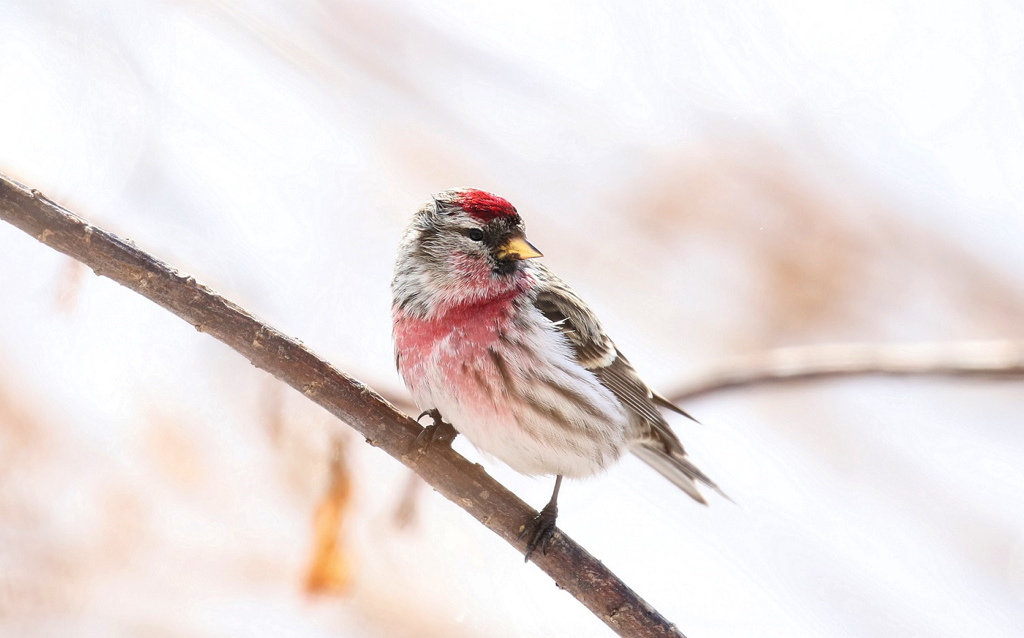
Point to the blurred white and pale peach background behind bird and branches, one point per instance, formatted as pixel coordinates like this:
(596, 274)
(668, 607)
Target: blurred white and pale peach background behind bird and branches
(715, 178)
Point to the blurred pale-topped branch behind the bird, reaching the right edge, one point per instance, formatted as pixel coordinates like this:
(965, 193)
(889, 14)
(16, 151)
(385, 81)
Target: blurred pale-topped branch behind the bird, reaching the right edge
(967, 359)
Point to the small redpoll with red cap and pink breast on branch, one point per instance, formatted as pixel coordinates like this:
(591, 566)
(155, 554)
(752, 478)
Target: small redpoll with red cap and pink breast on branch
(496, 347)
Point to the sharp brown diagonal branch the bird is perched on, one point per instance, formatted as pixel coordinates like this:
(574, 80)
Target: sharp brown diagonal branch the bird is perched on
(464, 484)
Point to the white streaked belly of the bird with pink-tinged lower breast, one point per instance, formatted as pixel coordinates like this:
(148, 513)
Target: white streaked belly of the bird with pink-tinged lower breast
(544, 415)
